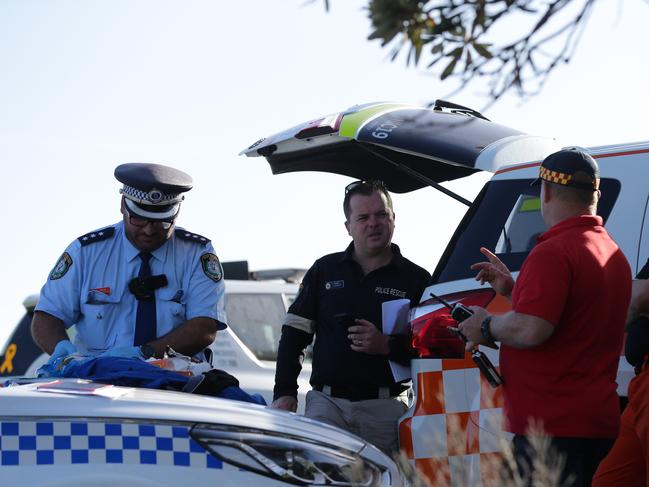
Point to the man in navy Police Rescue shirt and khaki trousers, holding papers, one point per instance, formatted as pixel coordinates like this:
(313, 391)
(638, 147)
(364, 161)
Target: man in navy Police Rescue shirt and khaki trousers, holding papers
(353, 387)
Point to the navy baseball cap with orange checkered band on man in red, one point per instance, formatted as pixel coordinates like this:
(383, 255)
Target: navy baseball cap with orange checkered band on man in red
(570, 167)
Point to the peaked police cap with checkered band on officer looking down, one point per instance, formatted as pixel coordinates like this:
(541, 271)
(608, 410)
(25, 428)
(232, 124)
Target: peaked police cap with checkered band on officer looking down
(153, 191)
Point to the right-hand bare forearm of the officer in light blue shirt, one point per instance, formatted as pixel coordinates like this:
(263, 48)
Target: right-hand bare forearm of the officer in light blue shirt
(190, 338)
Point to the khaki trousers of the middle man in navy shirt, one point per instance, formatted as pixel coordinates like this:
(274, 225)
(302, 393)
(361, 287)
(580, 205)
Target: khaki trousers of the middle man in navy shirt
(374, 420)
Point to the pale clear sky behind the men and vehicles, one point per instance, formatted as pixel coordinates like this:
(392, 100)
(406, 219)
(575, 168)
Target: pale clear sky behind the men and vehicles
(89, 84)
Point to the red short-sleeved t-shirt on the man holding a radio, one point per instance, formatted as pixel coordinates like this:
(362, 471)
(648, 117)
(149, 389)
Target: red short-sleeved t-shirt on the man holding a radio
(578, 279)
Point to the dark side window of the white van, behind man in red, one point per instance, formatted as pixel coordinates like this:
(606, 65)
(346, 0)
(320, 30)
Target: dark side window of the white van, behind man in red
(506, 219)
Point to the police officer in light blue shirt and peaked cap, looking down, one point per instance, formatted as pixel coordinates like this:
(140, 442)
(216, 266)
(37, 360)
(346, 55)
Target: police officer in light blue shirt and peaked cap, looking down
(136, 287)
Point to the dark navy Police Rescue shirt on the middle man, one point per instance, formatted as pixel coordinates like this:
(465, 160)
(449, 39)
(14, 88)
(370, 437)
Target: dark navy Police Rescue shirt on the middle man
(336, 284)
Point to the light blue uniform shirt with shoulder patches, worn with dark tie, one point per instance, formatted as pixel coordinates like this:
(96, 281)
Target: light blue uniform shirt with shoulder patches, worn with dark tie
(88, 286)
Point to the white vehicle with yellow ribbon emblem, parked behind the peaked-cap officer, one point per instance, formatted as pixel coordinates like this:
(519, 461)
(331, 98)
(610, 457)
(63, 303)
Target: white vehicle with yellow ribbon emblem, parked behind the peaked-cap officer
(247, 349)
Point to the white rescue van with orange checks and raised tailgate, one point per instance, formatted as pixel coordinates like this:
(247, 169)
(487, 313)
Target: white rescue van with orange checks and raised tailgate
(410, 147)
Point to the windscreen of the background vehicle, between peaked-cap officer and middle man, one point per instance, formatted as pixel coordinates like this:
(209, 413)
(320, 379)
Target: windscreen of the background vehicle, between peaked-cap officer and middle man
(257, 320)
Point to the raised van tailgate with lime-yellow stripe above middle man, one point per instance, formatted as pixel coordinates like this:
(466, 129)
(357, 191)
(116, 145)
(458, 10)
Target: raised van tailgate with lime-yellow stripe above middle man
(390, 141)
